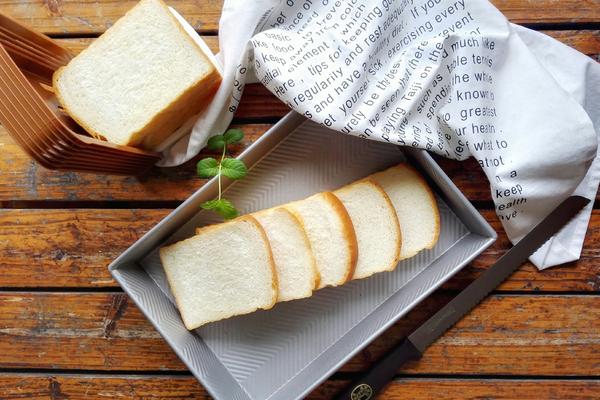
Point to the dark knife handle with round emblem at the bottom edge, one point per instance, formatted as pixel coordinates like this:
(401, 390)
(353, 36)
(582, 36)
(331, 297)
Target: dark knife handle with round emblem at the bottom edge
(368, 385)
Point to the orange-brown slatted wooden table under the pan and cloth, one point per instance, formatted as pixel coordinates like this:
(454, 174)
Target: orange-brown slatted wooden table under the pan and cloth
(67, 331)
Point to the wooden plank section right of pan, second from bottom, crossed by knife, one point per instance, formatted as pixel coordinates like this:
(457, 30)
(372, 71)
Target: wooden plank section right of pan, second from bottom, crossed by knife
(504, 335)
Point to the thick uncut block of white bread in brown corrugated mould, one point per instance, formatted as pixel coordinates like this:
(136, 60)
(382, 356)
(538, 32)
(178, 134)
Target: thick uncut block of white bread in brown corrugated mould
(140, 81)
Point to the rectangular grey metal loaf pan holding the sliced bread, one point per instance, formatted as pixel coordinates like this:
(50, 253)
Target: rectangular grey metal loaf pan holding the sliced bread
(286, 352)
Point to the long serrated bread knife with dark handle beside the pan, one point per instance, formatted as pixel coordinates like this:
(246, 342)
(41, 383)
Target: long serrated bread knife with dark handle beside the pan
(412, 347)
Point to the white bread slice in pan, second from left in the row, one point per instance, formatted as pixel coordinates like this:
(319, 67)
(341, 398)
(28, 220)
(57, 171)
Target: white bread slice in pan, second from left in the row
(295, 264)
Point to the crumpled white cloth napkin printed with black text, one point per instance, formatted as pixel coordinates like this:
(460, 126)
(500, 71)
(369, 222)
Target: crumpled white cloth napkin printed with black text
(452, 77)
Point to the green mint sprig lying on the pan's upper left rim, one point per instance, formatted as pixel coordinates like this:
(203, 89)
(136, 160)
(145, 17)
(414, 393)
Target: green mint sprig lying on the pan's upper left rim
(231, 168)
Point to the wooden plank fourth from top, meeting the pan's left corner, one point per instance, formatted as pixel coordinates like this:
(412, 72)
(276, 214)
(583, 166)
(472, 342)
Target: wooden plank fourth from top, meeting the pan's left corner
(72, 248)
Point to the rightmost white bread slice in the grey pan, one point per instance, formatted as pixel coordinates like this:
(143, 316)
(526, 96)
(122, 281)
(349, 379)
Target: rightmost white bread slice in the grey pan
(415, 206)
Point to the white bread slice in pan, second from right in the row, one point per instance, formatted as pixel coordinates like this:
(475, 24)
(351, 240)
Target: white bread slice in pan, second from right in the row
(376, 226)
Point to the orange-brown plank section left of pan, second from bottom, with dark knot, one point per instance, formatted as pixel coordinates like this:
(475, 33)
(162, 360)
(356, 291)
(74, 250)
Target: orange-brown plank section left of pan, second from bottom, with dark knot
(80, 331)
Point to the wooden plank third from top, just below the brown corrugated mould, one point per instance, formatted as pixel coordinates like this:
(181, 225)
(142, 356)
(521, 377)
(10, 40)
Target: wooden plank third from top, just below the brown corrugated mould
(21, 179)
